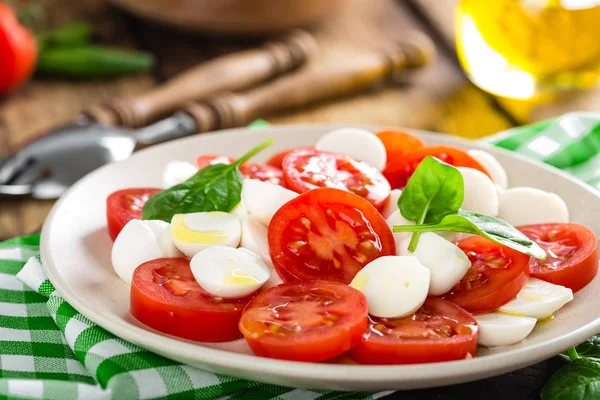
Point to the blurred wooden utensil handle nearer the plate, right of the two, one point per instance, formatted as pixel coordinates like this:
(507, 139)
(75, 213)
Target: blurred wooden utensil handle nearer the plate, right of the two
(308, 86)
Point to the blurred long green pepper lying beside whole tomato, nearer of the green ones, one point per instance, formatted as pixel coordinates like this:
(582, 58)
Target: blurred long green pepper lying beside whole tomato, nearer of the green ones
(92, 62)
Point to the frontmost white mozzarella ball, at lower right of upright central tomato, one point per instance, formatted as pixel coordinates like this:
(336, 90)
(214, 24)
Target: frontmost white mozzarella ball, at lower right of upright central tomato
(394, 286)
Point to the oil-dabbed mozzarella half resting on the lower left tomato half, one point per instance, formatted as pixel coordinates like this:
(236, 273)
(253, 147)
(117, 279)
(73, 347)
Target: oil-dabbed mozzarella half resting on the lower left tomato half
(229, 273)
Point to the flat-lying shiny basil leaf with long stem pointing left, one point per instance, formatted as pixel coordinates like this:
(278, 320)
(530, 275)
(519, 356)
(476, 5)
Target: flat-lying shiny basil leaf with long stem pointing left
(489, 227)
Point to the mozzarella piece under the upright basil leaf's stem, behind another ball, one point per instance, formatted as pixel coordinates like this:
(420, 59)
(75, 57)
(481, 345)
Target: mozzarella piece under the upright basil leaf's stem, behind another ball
(446, 262)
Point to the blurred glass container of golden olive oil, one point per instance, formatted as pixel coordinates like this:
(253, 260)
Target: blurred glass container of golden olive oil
(529, 49)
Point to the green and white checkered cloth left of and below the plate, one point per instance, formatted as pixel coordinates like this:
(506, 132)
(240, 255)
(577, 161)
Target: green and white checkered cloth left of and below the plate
(50, 351)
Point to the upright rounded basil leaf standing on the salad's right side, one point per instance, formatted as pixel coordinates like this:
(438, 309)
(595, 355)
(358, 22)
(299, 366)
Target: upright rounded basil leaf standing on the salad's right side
(435, 189)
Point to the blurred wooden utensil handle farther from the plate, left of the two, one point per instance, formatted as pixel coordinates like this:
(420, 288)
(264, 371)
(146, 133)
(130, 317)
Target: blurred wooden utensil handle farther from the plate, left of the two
(232, 72)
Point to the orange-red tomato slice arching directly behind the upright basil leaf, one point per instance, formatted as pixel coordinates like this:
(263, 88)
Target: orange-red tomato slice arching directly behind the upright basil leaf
(401, 169)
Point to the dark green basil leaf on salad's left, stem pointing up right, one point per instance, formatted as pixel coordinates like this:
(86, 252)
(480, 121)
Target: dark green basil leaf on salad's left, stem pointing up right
(213, 188)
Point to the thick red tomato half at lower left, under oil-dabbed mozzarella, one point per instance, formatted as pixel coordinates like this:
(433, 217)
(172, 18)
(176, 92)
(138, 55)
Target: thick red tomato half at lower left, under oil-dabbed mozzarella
(165, 296)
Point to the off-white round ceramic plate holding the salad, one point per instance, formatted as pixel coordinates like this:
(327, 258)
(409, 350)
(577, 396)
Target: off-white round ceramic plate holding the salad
(76, 252)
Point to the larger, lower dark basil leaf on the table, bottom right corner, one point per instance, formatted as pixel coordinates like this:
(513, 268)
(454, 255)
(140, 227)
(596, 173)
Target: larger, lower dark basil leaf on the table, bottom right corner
(578, 380)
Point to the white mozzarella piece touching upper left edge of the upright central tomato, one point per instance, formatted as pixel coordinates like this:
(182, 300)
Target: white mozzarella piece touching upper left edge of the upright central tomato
(263, 199)
